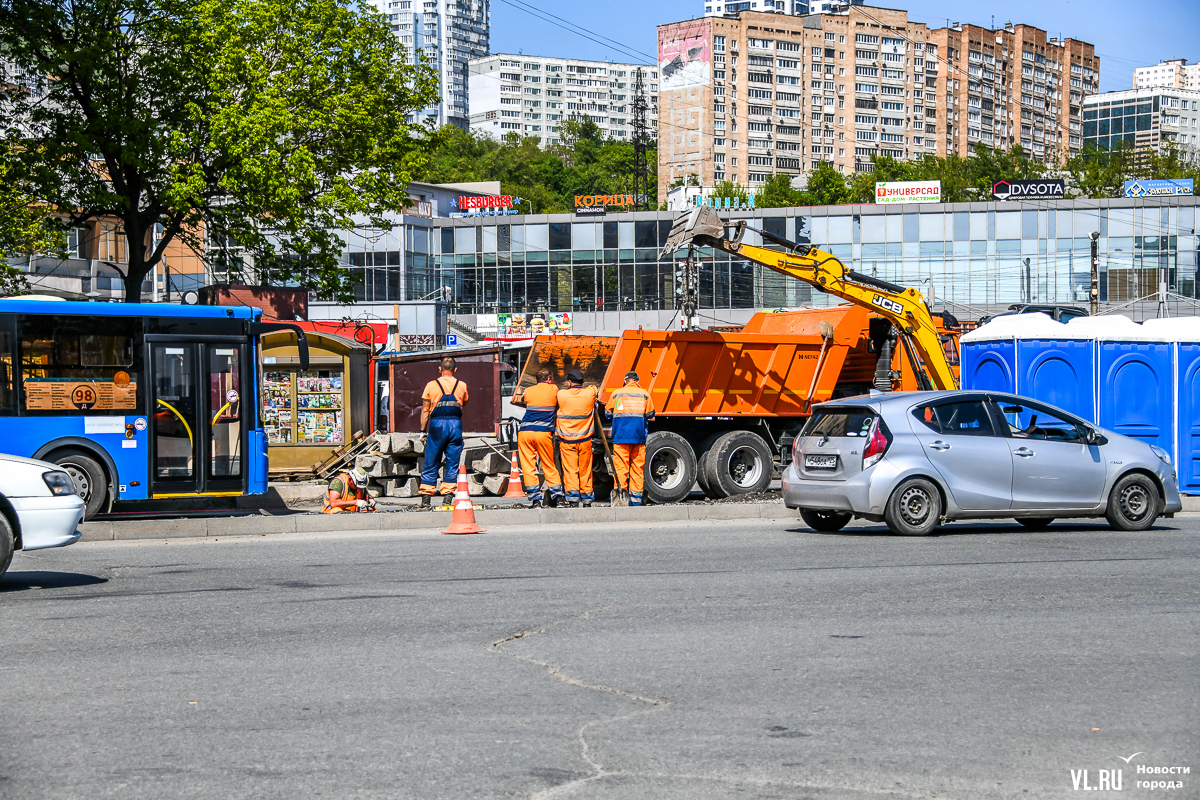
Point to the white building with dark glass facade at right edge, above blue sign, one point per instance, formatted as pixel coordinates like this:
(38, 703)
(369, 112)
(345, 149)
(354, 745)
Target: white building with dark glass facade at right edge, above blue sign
(1143, 118)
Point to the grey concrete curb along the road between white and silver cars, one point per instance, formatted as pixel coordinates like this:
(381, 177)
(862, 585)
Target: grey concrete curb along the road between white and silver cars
(427, 521)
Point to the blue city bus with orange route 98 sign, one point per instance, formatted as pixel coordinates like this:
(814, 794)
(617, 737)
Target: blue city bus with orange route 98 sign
(137, 401)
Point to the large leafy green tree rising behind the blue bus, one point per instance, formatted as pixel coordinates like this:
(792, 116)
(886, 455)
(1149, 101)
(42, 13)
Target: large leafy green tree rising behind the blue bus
(269, 124)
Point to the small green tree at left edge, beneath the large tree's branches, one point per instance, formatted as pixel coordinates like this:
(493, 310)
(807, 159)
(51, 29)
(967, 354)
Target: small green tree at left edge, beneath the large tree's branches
(27, 227)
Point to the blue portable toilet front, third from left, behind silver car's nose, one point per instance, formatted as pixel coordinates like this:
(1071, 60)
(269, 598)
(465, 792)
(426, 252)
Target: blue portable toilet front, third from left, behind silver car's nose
(1137, 399)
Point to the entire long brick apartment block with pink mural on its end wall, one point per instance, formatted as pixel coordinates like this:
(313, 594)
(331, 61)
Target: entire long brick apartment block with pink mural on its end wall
(747, 97)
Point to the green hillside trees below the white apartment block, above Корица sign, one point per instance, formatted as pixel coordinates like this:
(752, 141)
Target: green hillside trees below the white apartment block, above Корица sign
(547, 179)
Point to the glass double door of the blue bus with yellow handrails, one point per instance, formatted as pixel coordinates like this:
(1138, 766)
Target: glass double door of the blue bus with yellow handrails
(199, 440)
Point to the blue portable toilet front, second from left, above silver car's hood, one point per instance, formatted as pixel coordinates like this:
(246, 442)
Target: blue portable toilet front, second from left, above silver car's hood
(1059, 372)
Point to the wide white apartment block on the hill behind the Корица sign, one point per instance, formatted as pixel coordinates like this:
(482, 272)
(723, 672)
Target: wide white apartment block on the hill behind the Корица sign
(533, 95)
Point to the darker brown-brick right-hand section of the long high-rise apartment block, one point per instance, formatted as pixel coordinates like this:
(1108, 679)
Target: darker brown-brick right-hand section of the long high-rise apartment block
(1015, 86)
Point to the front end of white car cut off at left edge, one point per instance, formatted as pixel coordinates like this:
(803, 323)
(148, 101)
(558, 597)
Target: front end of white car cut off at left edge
(39, 508)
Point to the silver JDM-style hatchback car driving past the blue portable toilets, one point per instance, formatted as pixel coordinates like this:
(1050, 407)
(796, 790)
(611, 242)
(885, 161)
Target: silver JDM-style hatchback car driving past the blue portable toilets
(916, 460)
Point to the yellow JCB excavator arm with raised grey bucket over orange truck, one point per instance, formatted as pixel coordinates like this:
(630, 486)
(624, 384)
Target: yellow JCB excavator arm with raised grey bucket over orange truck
(701, 227)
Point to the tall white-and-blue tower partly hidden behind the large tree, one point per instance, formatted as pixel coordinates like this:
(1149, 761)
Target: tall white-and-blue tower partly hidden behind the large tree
(451, 34)
